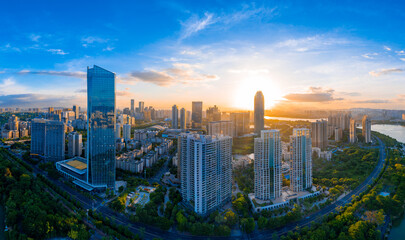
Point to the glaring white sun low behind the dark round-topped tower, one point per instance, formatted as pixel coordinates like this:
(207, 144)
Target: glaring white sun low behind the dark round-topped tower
(247, 88)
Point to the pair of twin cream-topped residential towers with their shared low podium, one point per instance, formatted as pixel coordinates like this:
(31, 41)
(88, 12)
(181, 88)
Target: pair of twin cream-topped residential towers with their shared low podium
(268, 166)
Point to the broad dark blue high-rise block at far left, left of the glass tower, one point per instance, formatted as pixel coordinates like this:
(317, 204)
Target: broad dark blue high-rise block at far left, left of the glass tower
(48, 139)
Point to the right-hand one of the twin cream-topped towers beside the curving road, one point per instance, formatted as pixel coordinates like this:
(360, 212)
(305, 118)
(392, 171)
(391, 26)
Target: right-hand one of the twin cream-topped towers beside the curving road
(301, 160)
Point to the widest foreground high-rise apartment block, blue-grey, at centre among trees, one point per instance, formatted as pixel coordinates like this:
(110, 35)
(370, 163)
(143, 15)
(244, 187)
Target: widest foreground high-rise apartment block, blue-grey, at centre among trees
(205, 171)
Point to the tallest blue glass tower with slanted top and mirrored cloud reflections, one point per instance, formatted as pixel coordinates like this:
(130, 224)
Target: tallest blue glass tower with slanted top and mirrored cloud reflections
(101, 127)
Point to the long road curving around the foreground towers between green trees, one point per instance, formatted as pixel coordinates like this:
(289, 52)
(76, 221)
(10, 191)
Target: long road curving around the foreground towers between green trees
(150, 232)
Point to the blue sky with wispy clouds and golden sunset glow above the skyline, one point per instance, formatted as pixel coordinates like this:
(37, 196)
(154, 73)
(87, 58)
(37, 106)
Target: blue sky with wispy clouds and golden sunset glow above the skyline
(300, 54)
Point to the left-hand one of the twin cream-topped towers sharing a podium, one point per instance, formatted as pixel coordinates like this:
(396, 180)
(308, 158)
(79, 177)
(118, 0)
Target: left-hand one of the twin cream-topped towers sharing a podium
(267, 169)
